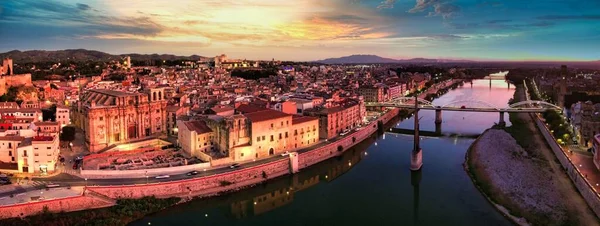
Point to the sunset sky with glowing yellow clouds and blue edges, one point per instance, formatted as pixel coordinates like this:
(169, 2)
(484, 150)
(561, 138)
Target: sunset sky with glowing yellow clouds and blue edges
(303, 30)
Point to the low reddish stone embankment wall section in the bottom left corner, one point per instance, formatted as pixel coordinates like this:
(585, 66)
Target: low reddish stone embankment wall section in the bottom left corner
(67, 204)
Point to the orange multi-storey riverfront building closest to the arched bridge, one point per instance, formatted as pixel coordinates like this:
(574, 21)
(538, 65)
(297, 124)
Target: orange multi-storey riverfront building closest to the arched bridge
(335, 120)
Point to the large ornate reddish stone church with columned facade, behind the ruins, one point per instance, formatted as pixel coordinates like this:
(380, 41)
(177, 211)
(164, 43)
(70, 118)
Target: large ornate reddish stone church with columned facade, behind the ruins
(111, 117)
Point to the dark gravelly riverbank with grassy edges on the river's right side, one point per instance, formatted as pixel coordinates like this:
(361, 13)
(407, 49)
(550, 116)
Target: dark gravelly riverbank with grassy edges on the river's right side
(515, 169)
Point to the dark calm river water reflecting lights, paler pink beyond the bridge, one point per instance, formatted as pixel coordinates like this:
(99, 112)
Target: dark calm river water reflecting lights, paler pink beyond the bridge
(371, 184)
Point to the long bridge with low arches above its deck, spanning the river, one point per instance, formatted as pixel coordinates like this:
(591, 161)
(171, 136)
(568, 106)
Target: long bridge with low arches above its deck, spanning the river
(466, 105)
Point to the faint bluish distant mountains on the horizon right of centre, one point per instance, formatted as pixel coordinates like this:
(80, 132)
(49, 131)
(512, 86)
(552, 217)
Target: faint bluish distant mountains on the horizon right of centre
(374, 59)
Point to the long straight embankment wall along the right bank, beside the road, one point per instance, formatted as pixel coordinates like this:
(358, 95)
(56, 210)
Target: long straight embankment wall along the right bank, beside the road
(586, 189)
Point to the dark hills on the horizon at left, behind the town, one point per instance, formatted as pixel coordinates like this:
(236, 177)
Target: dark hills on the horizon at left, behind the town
(85, 55)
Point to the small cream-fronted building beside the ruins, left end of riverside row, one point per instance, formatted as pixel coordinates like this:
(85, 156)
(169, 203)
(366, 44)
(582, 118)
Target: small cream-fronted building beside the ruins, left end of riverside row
(195, 137)
